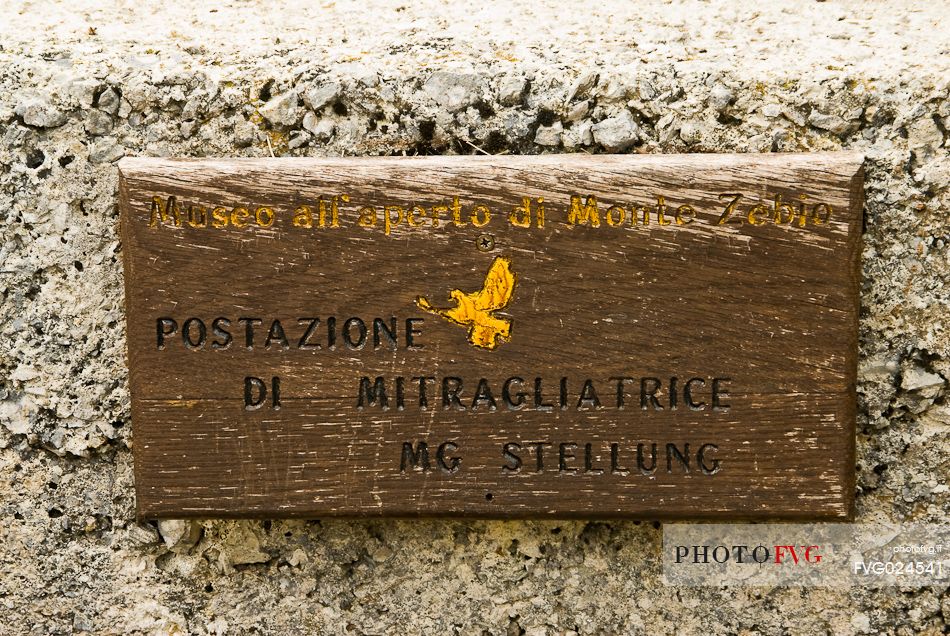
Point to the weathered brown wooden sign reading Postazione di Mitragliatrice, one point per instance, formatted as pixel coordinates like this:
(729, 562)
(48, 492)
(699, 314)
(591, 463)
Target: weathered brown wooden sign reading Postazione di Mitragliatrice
(553, 336)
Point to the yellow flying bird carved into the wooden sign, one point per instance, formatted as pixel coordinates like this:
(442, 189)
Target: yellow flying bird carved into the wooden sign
(475, 310)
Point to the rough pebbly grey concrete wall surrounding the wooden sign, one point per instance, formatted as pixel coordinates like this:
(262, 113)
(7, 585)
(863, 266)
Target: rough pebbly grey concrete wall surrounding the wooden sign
(82, 86)
